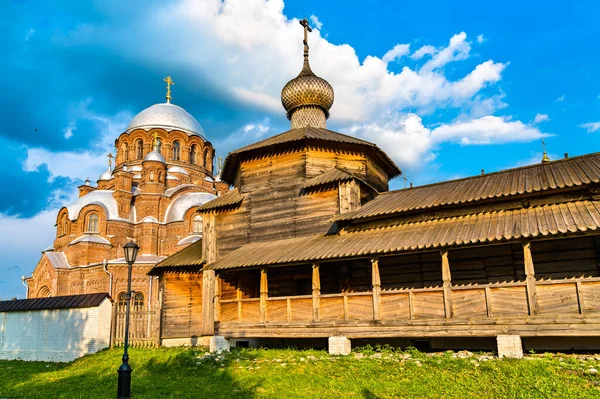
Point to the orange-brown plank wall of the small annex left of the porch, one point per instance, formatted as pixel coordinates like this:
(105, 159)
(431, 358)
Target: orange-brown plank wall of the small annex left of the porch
(182, 305)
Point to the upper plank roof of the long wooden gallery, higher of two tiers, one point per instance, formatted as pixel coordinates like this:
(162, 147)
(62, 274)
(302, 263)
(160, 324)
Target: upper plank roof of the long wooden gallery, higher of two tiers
(565, 173)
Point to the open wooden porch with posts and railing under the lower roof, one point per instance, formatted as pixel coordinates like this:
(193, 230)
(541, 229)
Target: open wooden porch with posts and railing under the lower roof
(563, 301)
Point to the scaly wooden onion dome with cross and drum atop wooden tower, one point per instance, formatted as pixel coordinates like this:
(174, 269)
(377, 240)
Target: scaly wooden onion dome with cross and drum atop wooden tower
(307, 98)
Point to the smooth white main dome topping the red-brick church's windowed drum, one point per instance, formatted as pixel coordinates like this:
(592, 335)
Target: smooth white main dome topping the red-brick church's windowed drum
(166, 116)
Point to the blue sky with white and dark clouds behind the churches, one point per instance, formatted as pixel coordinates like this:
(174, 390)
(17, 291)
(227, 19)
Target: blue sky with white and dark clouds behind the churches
(445, 88)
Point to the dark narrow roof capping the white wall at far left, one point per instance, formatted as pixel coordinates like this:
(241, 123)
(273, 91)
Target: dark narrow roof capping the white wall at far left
(55, 302)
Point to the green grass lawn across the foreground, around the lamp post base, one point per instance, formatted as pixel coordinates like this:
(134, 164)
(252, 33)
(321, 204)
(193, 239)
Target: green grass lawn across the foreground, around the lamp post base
(261, 373)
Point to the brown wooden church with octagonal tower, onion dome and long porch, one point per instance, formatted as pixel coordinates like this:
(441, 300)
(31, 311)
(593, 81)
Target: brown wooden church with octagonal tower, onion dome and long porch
(310, 244)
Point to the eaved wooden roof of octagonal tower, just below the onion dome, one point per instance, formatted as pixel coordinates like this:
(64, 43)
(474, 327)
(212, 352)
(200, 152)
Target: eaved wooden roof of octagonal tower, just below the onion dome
(310, 133)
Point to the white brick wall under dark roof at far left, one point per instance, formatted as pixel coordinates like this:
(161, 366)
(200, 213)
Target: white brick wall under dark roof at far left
(59, 335)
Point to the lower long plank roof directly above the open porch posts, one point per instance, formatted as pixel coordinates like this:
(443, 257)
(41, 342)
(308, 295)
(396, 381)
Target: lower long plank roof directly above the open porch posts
(545, 220)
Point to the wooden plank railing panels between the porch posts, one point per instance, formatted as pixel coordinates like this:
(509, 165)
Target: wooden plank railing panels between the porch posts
(555, 297)
